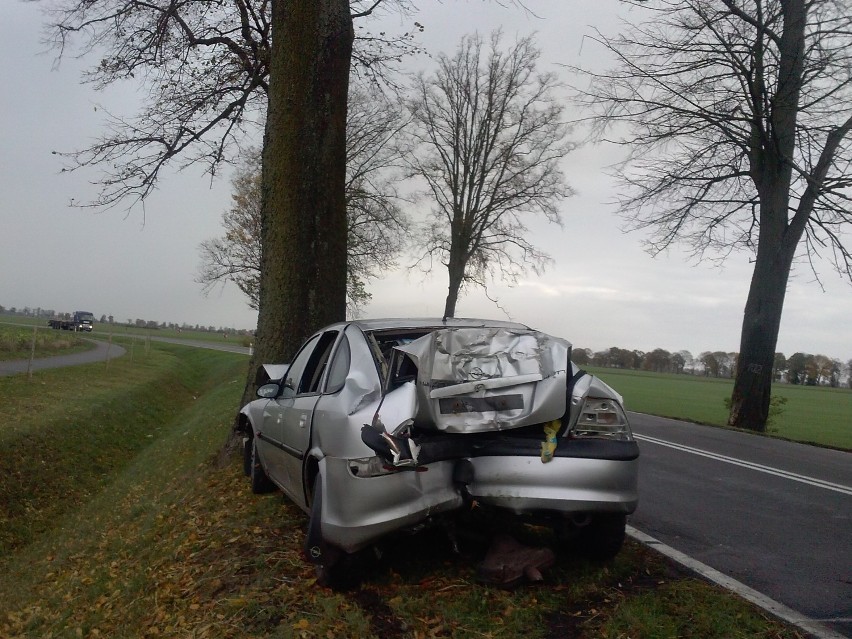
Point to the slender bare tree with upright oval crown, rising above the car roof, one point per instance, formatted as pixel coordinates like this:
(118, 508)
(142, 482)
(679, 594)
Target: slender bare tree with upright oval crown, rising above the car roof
(487, 138)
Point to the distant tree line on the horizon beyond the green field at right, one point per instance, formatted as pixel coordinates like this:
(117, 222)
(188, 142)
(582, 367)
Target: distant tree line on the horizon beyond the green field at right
(799, 368)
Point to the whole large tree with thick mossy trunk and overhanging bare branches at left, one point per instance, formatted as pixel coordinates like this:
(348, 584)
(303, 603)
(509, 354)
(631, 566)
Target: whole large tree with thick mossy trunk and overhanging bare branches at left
(212, 70)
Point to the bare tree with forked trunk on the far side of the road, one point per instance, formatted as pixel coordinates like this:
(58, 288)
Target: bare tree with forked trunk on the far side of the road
(738, 116)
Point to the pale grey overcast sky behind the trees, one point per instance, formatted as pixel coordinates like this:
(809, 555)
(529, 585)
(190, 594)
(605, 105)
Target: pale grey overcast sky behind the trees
(602, 290)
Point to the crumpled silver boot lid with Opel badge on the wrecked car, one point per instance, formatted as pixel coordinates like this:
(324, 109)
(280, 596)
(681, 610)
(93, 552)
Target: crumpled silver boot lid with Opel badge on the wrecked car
(483, 379)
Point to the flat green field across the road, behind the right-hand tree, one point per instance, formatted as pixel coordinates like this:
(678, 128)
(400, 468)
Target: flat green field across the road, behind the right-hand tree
(812, 414)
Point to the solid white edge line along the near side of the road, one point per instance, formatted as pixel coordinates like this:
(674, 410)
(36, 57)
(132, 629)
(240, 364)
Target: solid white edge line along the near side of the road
(770, 605)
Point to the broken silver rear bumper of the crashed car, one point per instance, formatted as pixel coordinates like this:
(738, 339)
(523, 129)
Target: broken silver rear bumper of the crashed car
(360, 510)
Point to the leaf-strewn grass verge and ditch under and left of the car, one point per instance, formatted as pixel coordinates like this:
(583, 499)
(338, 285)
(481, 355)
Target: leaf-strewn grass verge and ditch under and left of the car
(166, 540)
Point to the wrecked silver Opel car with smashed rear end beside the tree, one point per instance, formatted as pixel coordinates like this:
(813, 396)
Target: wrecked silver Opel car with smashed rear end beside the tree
(381, 426)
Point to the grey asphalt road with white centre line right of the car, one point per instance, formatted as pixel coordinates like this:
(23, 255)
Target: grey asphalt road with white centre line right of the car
(774, 515)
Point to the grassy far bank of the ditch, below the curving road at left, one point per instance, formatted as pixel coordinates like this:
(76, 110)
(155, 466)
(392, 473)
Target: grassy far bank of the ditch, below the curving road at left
(67, 430)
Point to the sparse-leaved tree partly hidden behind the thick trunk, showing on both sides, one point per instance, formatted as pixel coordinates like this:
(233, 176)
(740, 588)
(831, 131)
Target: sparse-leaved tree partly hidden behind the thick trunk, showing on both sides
(376, 224)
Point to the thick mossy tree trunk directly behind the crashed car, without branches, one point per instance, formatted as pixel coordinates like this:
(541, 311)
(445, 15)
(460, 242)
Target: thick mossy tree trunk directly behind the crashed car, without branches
(303, 211)
